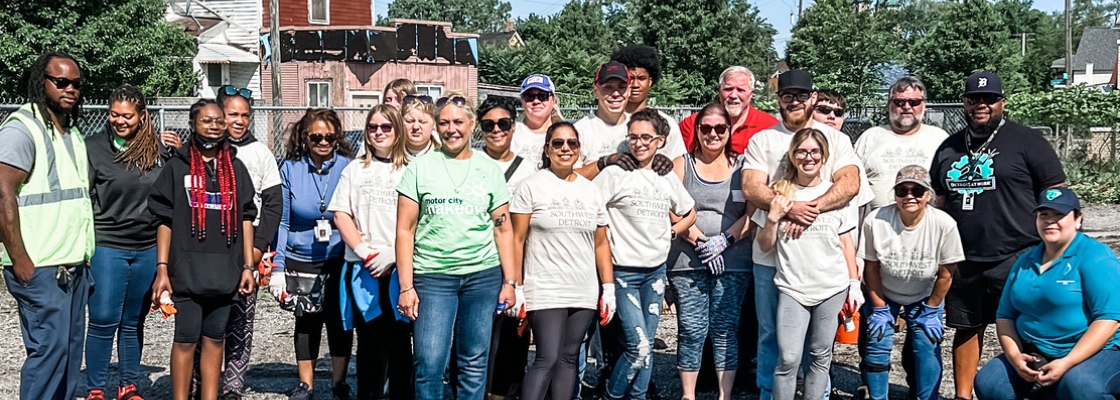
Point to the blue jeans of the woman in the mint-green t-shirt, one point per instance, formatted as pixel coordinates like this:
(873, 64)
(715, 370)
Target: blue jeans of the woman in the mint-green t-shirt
(461, 308)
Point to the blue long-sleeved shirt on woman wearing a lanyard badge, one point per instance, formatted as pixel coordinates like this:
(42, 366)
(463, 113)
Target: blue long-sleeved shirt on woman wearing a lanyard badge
(306, 197)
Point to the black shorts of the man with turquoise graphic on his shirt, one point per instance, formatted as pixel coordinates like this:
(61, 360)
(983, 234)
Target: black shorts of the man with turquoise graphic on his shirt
(974, 297)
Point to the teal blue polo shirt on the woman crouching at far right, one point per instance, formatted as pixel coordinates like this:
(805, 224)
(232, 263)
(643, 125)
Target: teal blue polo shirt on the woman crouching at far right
(1054, 309)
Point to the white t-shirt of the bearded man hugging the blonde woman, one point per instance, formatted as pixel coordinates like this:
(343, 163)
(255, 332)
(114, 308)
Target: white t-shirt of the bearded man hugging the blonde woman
(768, 153)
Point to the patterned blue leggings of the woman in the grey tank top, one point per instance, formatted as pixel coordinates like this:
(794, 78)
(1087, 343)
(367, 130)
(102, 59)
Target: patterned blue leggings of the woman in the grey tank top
(708, 305)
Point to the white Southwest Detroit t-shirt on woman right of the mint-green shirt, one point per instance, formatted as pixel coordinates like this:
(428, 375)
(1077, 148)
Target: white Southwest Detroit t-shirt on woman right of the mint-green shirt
(559, 263)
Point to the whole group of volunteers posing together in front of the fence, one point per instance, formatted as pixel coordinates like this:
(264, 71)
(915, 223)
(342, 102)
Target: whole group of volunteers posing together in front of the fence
(449, 259)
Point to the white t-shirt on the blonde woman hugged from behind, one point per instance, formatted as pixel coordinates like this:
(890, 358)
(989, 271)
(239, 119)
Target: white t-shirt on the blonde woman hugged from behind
(813, 269)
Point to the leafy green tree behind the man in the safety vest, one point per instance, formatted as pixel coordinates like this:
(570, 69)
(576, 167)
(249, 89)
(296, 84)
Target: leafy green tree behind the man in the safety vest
(115, 41)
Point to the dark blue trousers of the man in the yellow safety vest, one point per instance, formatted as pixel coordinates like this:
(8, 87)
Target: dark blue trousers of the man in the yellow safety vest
(52, 321)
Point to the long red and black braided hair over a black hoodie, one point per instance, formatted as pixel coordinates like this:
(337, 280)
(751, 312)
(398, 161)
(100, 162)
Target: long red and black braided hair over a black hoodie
(227, 181)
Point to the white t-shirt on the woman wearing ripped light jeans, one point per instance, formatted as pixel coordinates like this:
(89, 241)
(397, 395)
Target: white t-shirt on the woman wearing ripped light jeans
(639, 203)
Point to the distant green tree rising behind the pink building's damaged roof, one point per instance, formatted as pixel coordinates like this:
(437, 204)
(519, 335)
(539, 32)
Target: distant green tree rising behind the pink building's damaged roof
(466, 16)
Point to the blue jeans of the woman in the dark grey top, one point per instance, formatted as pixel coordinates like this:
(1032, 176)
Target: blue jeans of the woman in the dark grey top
(120, 301)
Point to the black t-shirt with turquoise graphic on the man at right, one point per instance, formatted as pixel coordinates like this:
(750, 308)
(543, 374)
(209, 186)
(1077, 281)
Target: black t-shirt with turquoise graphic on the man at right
(1004, 181)
